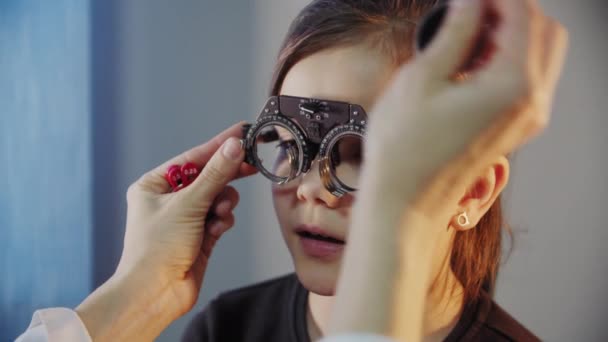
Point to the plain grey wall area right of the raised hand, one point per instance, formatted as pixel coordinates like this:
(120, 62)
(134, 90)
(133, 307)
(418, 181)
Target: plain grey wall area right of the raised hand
(556, 279)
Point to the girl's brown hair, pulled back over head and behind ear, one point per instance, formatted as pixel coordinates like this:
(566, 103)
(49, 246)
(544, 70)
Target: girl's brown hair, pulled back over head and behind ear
(390, 25)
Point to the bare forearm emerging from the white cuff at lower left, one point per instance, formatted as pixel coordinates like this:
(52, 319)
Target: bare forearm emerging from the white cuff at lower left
(126, 309)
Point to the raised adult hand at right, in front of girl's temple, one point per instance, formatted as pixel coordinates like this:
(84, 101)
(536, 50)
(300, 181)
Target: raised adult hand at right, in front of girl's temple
(447, 130)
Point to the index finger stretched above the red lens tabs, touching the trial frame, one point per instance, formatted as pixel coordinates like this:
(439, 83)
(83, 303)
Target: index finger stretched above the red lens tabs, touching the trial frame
(154, 181)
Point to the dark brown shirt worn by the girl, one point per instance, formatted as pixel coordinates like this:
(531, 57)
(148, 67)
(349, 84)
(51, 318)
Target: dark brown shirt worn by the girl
(275, 310)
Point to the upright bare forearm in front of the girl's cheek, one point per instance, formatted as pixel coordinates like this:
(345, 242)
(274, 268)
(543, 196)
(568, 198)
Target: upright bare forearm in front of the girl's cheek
(396, 264)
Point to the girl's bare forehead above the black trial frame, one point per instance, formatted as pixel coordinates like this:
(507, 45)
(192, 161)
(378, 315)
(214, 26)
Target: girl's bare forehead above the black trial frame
(355, 74)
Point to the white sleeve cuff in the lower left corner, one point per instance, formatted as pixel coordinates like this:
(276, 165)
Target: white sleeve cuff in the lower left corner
(53, 325)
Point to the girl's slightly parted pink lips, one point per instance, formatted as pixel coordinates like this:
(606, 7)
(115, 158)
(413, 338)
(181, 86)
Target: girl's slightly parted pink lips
(318, 243)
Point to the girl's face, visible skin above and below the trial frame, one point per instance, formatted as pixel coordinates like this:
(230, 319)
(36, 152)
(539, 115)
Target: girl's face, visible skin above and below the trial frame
(314, 223)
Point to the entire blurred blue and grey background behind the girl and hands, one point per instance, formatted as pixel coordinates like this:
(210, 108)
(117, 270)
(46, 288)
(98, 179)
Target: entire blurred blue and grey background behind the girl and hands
(95, 93)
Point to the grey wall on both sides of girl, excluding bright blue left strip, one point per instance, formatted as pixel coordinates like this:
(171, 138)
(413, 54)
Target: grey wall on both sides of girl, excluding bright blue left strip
(169, 75)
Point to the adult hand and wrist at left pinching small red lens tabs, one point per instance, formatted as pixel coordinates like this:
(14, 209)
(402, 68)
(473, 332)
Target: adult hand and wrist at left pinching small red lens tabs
(168, 242)
